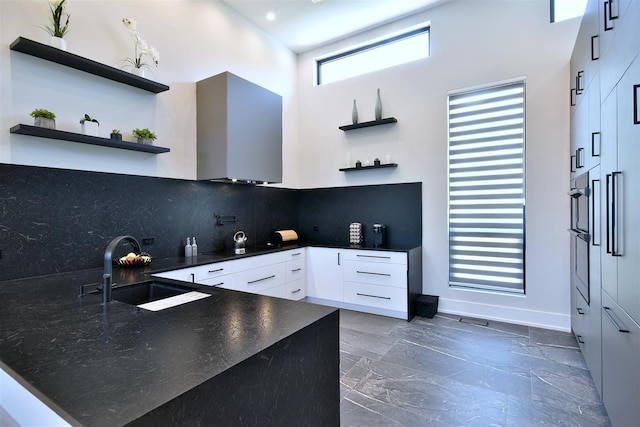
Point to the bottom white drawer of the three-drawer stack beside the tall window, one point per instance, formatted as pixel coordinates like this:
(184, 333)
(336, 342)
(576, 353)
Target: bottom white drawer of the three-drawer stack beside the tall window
(375, 296)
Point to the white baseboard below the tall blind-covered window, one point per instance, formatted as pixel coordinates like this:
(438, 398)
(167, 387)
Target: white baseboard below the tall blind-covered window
(518, 316)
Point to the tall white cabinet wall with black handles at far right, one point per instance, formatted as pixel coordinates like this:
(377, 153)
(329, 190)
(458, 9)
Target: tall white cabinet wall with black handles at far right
(614, 311)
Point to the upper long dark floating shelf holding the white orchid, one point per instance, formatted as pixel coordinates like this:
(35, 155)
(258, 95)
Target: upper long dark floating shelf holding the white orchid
(68, 59)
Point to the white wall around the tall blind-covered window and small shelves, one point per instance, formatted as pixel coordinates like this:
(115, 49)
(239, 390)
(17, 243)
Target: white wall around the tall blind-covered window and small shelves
(473, 43)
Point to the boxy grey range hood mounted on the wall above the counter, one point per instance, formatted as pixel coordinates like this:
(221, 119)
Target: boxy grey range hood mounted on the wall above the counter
(239, 128)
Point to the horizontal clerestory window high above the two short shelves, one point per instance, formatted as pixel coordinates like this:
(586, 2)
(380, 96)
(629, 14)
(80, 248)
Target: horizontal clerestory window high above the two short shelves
(375, 55)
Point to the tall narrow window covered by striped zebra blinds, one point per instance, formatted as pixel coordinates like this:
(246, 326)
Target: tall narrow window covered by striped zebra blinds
(486, 188)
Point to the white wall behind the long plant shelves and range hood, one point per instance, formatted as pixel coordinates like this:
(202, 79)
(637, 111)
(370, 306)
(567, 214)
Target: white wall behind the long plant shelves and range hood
(196, 39)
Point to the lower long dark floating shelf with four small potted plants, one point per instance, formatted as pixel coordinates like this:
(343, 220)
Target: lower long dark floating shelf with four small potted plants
(85, 139)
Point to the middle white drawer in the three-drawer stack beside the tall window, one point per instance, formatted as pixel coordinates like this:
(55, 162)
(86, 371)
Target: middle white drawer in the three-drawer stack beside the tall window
(380, 274)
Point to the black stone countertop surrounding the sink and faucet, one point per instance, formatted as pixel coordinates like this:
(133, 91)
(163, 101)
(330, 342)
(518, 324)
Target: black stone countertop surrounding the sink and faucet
(108, 365)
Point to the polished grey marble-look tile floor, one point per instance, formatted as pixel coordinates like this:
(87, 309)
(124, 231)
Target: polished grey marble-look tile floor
(448, 372)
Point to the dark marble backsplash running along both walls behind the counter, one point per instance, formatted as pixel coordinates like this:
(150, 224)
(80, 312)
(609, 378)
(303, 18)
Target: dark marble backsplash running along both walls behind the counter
(55, 220)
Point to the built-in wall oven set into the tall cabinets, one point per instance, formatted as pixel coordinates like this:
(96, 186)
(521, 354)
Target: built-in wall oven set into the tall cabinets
(580, 237)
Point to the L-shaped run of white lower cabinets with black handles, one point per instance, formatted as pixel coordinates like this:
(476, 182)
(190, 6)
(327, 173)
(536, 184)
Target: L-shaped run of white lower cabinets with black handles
(372, 281)
